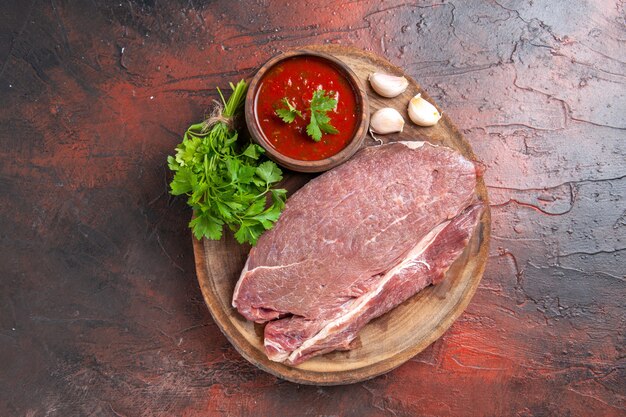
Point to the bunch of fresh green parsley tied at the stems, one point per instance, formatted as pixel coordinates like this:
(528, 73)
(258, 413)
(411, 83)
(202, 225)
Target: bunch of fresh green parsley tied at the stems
(226, 184)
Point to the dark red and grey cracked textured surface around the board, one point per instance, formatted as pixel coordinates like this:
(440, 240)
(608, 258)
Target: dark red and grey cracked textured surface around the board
(101, 312)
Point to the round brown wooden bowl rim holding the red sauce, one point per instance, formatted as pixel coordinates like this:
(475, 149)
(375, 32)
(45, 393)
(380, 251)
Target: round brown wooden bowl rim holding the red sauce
(363, 115)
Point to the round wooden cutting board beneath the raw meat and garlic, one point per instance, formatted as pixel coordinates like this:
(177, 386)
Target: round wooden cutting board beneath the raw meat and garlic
(393, 338)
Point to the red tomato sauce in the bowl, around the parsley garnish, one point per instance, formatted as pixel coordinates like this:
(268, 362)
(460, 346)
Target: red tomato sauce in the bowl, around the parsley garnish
(297, 78)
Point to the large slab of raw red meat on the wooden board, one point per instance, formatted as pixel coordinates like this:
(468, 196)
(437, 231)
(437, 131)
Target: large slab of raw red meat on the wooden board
(356, 242)
